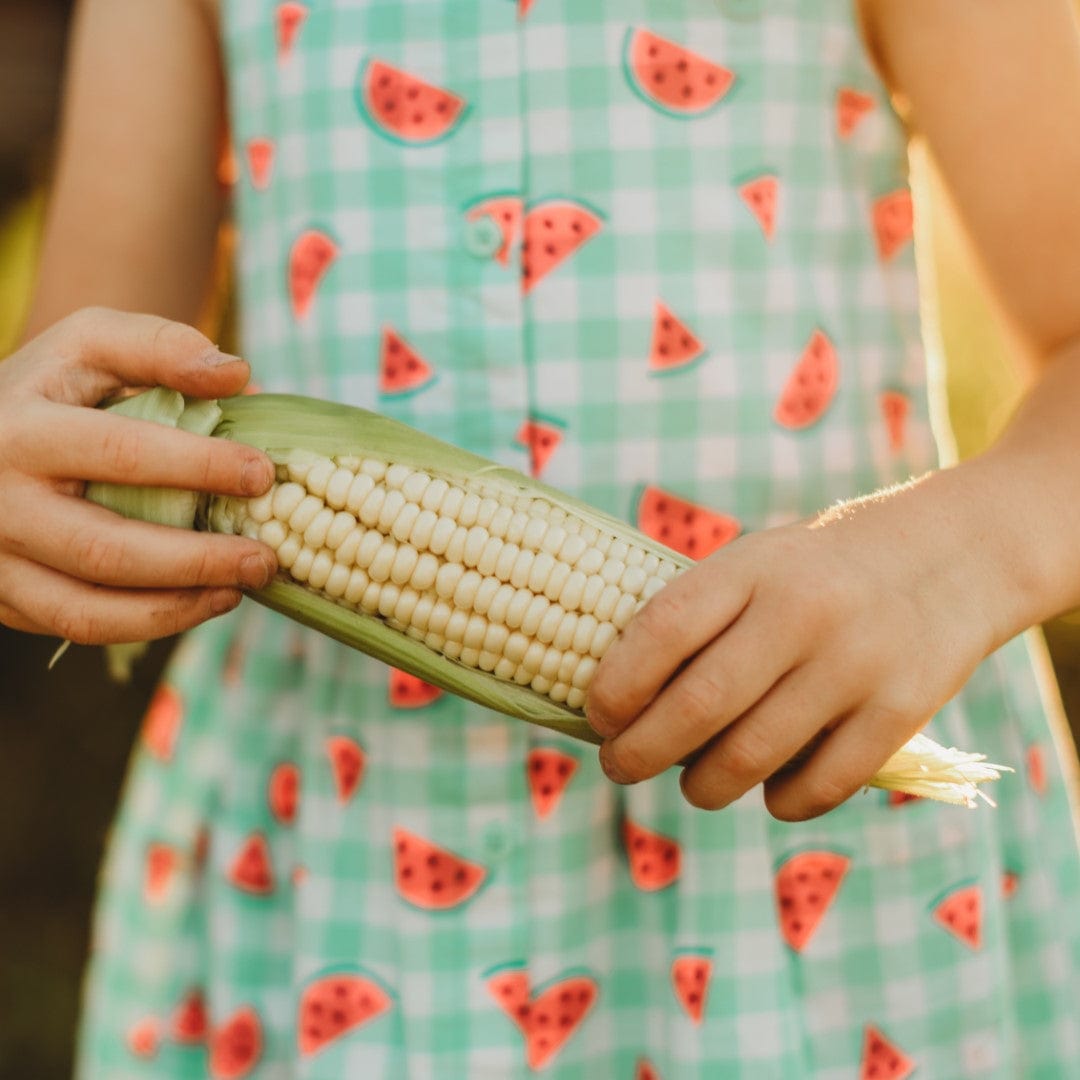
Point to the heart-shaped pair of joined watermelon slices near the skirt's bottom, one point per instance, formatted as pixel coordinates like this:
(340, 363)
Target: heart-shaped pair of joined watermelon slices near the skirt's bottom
(548, 1020)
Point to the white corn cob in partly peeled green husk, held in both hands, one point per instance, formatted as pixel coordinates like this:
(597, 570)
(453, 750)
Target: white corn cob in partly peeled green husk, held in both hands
(471, 576)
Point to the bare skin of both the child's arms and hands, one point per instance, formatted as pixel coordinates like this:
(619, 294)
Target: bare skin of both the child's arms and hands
(847, 633)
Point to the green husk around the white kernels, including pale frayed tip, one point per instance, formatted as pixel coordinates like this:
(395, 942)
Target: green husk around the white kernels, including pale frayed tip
(287, 426)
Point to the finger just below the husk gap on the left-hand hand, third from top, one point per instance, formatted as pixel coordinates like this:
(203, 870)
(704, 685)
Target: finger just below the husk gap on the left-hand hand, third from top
(93, 545)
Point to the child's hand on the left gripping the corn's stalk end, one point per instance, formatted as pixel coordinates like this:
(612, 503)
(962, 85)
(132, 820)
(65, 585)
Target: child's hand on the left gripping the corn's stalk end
(74, 570)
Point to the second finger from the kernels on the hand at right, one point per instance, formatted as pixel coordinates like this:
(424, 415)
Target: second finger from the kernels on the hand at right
(722, 683)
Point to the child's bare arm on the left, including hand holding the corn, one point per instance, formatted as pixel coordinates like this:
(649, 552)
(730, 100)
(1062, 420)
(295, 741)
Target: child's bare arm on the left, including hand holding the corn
(131, 226)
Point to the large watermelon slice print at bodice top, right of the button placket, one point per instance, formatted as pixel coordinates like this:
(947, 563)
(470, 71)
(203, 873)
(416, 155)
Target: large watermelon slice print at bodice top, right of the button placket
(671, 78)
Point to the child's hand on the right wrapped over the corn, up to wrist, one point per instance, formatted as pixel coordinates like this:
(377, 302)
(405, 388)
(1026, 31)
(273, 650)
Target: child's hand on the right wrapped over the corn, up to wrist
(845, 634)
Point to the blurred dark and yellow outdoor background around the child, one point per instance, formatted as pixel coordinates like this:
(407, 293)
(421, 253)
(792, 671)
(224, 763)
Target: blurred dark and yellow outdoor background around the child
(66, 736)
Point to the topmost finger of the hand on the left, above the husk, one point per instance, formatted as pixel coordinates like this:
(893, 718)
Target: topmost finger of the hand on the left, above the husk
(106, 350)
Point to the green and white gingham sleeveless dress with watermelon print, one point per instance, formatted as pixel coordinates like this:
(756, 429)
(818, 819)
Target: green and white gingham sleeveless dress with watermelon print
(558, 262)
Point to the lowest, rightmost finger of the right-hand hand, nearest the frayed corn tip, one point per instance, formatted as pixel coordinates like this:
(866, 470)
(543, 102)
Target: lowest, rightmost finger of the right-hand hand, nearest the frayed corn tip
(839, 767)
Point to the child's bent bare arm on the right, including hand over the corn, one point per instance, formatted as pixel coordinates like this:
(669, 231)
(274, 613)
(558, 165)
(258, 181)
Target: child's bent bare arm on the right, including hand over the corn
(852, 631)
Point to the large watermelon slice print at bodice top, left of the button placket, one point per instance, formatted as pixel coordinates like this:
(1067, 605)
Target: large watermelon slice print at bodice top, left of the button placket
(404, 109)
